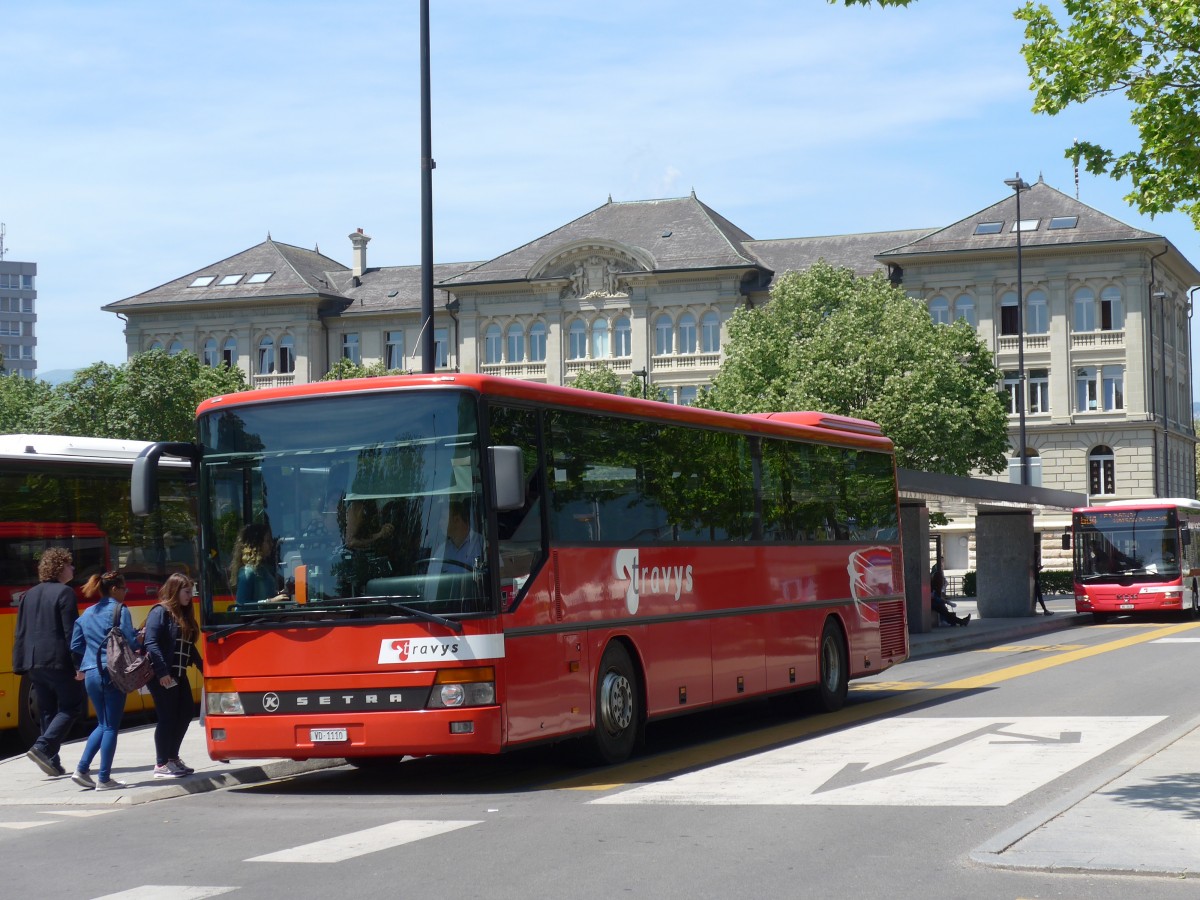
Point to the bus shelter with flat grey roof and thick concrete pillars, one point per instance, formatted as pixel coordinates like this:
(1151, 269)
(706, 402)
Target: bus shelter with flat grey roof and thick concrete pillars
(1006, 551)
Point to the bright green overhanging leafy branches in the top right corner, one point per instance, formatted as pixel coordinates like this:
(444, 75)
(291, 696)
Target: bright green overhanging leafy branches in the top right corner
(1145, 50)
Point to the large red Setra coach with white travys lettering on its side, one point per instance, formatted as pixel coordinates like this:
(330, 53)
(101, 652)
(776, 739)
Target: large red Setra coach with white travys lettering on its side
(466, 565)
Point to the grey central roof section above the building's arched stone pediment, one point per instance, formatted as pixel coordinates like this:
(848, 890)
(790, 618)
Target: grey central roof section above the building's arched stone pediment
(669, 236)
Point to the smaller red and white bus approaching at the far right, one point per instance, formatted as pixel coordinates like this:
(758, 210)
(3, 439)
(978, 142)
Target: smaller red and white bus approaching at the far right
(1137, 556)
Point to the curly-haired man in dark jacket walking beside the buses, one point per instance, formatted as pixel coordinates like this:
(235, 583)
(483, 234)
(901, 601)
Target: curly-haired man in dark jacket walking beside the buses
(41, 651)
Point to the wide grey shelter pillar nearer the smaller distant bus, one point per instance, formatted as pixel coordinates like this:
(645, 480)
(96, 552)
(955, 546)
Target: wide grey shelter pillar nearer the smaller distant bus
(1005, 565)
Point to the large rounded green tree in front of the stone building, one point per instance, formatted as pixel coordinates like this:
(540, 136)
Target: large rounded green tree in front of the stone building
(839, 344)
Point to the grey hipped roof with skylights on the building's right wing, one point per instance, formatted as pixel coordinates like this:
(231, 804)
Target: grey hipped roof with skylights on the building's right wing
(1041, 203)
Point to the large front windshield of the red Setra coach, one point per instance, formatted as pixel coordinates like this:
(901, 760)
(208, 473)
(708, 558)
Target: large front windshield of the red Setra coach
(350, 506)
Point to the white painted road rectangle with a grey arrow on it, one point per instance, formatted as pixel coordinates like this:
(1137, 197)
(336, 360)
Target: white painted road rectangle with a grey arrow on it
(902, 763)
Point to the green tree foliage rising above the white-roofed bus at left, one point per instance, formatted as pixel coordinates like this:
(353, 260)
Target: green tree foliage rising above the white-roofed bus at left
(151, 398)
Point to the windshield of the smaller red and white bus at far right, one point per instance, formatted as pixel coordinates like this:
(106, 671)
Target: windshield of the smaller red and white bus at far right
(1121, 543)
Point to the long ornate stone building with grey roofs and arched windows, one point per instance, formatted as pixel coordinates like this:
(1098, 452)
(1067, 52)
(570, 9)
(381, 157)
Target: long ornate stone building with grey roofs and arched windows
(651, 286)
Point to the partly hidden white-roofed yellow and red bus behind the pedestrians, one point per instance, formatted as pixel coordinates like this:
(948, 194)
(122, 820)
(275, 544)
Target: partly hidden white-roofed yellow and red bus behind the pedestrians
(75, 493)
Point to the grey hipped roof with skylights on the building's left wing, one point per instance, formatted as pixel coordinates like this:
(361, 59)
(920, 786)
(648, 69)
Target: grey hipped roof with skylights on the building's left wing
(295, 273)
